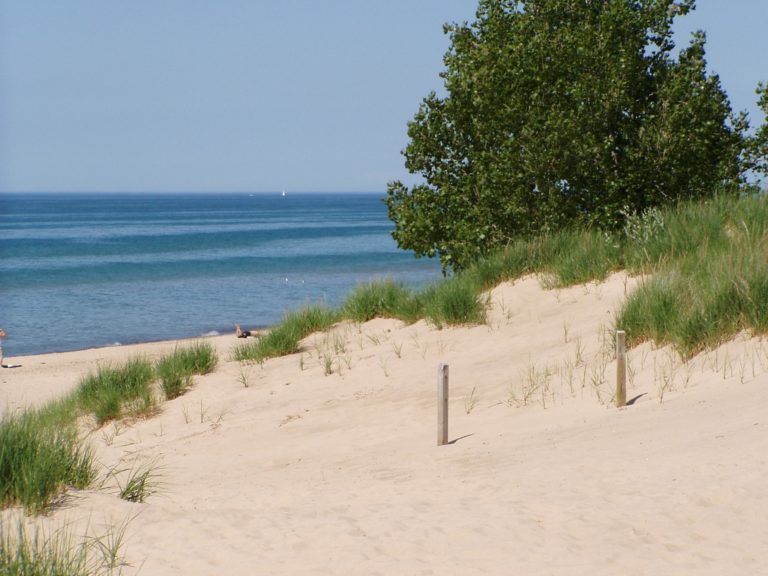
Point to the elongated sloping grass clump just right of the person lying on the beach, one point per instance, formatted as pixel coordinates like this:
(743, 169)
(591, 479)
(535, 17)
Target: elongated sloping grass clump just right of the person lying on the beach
(284, 338)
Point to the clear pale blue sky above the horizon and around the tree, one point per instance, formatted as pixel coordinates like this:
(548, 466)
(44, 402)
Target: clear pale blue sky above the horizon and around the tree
(251, 95)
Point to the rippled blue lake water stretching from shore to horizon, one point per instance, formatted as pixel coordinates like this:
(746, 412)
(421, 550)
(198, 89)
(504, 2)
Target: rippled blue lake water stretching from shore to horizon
(85, 270)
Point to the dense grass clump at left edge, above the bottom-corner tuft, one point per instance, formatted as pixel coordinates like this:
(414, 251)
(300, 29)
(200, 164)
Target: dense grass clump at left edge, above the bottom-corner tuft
(38, 460)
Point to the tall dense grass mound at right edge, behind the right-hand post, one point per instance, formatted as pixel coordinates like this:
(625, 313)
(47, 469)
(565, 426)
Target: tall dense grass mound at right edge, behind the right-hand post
(709, 276)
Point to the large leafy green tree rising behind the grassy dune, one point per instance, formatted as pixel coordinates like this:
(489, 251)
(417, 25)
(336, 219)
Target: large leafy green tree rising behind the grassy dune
(560, 113)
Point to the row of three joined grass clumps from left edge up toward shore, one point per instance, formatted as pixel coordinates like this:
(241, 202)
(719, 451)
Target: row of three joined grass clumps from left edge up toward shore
(41, 453)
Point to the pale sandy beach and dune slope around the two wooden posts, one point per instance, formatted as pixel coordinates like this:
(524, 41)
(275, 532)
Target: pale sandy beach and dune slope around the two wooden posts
(282, 468)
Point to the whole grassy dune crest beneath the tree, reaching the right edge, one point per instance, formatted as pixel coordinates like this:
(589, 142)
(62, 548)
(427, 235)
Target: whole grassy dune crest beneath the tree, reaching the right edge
(704, 268)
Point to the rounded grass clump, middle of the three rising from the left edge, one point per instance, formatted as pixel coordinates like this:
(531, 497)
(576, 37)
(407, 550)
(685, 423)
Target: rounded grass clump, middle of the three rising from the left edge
(112, 392)
